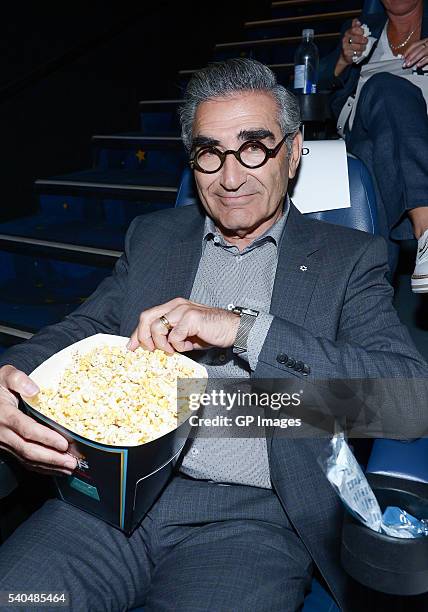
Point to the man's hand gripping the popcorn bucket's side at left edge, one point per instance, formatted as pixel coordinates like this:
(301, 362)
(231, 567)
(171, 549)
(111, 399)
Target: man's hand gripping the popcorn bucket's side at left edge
(39, 448)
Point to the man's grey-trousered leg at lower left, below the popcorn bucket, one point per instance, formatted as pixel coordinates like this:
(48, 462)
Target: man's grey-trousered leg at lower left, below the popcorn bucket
(60, 548)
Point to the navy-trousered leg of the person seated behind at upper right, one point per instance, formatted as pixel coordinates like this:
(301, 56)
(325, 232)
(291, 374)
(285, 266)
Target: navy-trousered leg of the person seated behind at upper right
(390, 134)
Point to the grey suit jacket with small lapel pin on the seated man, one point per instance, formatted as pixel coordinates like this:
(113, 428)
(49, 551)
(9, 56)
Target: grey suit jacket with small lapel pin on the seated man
(336, 316)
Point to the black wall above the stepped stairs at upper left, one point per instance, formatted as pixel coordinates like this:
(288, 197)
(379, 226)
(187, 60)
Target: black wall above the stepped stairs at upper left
(70, 70)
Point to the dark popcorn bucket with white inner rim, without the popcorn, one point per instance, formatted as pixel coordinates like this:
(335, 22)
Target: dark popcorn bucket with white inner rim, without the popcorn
(118, 484)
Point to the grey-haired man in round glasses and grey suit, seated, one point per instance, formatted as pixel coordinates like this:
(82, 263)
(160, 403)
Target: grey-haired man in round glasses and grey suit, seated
(257, 292)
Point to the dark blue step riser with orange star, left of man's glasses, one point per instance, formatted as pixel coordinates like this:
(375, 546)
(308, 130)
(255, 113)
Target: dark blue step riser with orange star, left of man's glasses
(135, 151)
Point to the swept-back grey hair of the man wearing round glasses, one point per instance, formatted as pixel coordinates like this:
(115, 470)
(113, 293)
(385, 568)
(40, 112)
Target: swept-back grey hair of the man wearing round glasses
(223, 79)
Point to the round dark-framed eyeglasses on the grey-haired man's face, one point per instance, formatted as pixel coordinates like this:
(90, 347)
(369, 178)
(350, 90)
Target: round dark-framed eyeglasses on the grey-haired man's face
(251, 154)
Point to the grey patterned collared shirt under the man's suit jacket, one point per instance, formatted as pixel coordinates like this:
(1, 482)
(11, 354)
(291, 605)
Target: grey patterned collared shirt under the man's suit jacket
(227, 277)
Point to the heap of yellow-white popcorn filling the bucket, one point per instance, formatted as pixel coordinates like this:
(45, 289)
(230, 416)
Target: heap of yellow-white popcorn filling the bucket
(114, 396)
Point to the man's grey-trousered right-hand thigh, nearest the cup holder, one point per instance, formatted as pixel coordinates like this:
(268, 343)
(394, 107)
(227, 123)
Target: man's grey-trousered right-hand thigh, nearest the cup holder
(225, 548)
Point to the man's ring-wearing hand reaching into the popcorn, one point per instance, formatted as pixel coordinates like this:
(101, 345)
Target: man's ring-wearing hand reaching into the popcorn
(193, 326)
